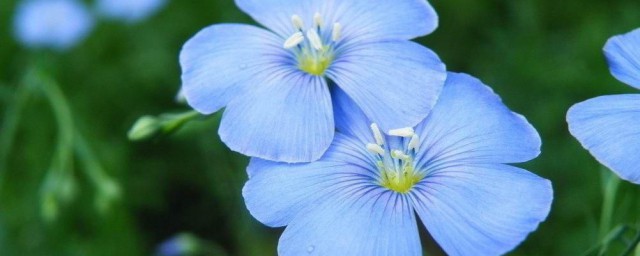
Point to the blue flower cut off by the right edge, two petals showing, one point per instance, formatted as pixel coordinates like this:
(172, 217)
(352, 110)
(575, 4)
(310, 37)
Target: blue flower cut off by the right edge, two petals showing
(608, 126)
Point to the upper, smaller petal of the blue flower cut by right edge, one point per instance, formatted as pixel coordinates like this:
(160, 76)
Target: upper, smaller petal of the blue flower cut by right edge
(623, 55)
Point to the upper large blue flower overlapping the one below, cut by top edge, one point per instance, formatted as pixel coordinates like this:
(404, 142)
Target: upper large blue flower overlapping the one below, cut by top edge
(276, 83)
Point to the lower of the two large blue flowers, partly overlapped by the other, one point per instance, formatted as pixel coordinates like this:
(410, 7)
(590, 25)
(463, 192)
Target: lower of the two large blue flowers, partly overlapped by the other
(451, 169)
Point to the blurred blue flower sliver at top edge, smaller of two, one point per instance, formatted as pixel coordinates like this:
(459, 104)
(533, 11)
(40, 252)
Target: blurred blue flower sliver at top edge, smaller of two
(129, 10)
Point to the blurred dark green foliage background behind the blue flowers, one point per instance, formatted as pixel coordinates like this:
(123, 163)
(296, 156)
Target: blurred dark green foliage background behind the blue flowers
(541, 56)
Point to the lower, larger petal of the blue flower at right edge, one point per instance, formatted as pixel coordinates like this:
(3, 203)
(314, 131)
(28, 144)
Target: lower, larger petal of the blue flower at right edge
(608, 127)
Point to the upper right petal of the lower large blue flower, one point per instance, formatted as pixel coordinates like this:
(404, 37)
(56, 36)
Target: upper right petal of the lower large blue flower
(471, 124)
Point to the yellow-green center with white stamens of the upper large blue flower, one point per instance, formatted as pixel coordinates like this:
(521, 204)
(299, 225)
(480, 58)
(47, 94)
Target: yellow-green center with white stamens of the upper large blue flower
(314, 46)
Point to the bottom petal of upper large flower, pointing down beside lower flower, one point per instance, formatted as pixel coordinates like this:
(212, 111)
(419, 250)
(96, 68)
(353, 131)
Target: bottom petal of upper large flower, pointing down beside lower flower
(287, 118)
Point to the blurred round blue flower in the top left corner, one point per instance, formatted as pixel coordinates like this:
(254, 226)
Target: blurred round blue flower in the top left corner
(56, 24)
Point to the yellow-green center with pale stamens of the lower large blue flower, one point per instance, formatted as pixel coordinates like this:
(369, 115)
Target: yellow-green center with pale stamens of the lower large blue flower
(396, 166)
